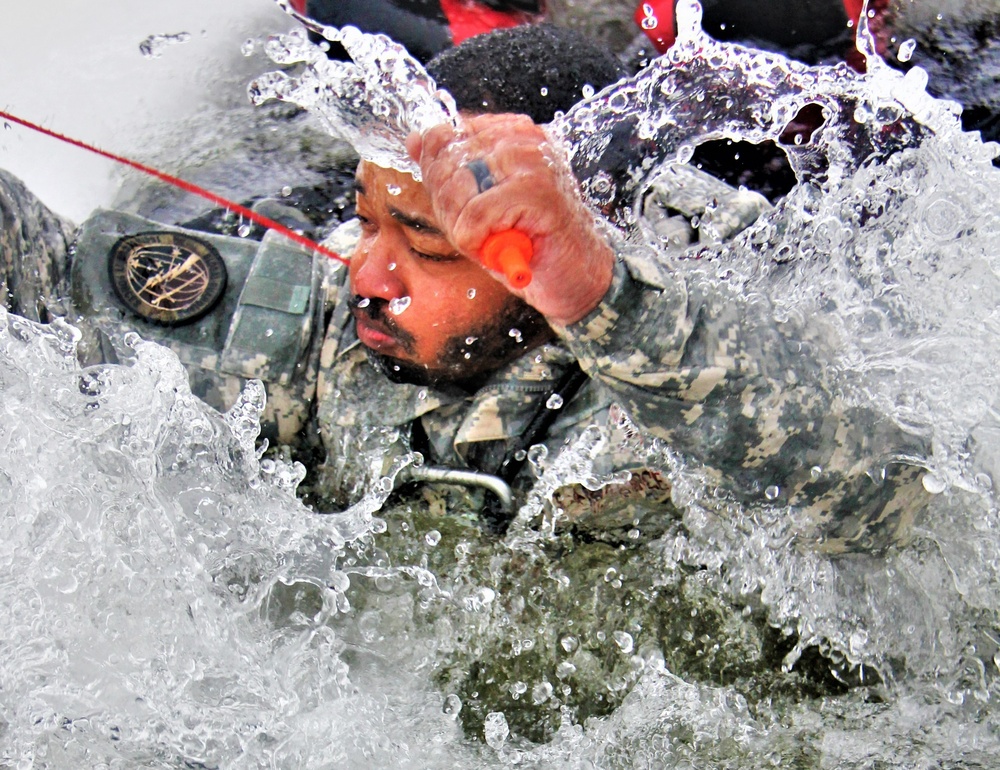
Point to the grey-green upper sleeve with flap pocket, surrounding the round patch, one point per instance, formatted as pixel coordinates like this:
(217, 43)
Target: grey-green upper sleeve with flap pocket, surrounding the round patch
(225, 349)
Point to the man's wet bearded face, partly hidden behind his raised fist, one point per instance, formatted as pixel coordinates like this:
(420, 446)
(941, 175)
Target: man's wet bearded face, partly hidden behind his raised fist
(426, 313)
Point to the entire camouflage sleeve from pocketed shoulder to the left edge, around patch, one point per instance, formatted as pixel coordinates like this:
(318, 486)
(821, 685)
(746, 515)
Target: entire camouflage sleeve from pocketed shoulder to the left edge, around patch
(264, 327)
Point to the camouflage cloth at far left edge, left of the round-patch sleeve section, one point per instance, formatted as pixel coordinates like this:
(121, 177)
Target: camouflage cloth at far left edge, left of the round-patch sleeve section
(34, 254)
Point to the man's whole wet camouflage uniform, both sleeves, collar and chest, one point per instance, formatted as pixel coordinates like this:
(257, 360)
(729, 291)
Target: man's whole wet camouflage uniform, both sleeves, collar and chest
(716, 379)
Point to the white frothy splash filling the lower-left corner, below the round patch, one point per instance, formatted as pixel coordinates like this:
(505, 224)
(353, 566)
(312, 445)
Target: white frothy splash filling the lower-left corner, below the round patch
(150, 565)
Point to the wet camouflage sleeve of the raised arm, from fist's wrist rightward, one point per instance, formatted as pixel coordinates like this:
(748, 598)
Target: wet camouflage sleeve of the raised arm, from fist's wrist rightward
(715, 376)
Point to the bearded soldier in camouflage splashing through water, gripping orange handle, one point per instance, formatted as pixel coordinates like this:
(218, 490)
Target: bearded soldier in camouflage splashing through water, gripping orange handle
(418, 346)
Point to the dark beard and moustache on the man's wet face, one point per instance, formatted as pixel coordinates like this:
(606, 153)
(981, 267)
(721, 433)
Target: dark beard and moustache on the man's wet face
(462, 365)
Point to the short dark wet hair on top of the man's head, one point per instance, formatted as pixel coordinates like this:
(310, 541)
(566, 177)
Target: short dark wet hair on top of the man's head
(535, 70)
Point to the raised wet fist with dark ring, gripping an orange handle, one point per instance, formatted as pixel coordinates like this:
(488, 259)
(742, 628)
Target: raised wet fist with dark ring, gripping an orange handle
(533, 191)
